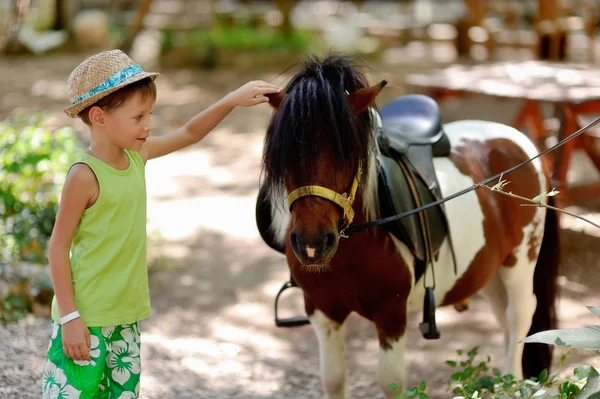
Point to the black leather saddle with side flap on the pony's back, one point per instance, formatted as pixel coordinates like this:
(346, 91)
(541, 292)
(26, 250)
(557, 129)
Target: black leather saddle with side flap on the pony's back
(410, 137)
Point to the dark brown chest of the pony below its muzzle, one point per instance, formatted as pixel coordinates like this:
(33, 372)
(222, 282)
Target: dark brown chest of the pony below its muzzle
(375, 288)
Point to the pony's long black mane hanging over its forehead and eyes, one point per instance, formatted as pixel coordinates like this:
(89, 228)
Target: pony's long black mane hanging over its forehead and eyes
(316, 104)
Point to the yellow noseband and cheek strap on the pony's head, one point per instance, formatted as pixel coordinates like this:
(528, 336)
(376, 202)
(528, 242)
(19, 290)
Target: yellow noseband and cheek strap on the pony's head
(343, 200)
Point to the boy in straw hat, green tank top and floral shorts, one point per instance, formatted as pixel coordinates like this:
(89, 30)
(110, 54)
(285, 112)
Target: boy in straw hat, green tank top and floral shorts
(97, 251)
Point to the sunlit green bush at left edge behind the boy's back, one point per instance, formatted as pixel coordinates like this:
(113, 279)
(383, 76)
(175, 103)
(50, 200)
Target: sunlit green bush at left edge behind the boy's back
(33, 165)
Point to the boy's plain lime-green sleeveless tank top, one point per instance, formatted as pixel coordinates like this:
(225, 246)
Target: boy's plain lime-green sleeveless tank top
(108, 252)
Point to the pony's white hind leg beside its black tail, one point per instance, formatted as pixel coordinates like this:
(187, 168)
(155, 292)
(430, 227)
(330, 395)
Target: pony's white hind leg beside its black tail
(521, 301)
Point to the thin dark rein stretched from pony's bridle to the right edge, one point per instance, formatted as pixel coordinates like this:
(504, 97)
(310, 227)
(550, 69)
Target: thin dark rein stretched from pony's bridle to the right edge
(380, 222)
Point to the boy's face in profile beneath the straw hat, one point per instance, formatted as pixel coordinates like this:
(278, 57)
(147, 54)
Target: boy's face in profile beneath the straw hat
(130, 124)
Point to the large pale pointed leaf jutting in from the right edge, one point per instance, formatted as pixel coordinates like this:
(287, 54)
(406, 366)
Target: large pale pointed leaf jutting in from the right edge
(583, 338)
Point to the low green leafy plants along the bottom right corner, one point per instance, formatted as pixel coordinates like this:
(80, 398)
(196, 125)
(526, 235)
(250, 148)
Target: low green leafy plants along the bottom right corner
(476, 379)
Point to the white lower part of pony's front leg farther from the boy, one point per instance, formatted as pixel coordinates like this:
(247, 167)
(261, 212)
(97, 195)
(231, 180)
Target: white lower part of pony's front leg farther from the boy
(391, 368)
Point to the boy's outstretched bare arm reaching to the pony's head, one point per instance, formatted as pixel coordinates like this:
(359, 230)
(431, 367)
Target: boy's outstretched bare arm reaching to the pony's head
(250, 94)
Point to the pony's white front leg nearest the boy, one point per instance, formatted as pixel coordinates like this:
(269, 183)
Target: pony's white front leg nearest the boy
(330, 335)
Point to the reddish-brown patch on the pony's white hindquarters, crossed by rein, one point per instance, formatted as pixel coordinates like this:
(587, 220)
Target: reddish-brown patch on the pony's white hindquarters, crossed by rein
(504, 218)
